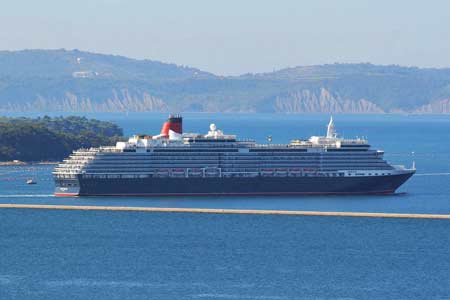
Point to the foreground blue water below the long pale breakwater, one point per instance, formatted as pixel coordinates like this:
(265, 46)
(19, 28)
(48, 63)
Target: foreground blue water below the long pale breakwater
(132, 255)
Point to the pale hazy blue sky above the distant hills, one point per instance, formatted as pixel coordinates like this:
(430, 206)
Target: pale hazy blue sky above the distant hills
(234, 37)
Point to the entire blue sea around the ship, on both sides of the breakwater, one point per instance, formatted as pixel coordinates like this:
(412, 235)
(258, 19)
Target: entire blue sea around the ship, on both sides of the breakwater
(46, 254)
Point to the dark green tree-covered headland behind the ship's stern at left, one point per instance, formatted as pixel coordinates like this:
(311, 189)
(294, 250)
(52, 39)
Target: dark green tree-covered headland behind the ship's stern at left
(47, 140)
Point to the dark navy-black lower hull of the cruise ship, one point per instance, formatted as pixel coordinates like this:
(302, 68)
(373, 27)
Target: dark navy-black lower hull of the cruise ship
(214, 186)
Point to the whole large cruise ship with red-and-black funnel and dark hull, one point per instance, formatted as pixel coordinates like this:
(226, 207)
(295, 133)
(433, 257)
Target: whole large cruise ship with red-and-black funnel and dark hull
(174, 163)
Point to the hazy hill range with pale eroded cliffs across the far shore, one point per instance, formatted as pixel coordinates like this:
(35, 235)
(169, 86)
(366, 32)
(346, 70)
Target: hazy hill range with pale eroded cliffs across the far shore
(61, 80)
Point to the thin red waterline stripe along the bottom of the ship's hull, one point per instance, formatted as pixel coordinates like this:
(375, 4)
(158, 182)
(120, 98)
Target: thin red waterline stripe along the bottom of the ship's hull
(233, 194)
